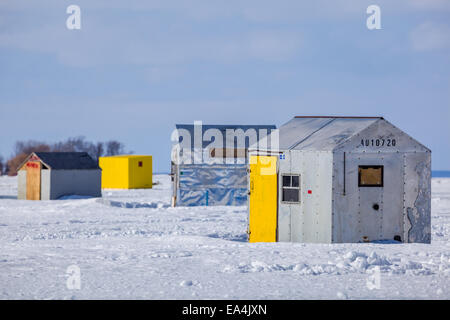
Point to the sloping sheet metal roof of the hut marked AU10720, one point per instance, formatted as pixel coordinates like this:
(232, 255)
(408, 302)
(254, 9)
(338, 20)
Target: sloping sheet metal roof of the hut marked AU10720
(321, 133)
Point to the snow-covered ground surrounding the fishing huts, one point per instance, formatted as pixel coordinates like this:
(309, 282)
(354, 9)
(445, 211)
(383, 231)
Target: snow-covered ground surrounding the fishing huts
(133, 245)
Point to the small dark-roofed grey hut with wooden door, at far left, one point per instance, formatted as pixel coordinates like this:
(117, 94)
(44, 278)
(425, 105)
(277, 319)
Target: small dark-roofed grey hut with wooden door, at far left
(51, 175)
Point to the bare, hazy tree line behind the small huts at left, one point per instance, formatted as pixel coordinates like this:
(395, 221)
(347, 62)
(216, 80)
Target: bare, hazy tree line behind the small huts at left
(77, 144)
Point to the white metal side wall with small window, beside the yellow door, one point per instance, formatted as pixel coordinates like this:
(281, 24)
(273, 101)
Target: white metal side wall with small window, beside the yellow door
(309, 220)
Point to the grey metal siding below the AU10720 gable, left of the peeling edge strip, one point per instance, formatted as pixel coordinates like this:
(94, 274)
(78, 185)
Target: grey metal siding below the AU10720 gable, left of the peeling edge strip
(354, 216)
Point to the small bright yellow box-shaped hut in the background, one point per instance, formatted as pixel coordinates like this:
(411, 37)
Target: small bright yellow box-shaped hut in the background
(126, 172)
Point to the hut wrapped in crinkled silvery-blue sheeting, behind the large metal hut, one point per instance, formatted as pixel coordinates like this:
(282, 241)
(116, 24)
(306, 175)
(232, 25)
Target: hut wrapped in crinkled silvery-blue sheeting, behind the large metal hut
(209, 163)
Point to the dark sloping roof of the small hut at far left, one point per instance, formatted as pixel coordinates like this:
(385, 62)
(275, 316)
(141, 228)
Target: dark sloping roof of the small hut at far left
(67, 160)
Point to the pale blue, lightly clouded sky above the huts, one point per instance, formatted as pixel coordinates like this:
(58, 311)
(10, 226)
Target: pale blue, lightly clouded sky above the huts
(138, 67)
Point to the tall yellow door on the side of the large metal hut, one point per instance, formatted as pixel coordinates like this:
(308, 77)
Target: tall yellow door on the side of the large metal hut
(263, 199)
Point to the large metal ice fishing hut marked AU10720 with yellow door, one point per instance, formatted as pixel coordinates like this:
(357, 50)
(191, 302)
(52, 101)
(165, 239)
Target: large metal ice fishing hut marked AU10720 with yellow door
(340, 180)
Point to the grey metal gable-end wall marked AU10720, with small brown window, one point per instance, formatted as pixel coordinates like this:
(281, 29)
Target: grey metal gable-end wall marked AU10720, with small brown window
(404, 169)
